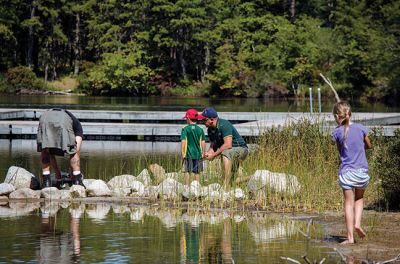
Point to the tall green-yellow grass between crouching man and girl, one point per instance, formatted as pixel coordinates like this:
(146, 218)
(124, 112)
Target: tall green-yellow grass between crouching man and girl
(303, 149)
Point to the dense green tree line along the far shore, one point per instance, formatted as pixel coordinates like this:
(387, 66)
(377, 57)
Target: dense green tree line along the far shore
(205, 47)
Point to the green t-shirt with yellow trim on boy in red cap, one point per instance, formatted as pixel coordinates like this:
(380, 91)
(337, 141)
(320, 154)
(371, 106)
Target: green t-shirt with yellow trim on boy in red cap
(194, 136)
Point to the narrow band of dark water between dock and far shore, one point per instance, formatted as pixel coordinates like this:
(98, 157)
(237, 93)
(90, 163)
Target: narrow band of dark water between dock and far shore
(182, 104)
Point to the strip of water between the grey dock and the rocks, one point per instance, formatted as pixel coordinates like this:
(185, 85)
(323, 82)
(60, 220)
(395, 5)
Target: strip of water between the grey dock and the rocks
(99, 159)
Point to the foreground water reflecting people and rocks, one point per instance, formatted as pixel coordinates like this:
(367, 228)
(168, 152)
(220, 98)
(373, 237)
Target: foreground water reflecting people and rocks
(104, 233)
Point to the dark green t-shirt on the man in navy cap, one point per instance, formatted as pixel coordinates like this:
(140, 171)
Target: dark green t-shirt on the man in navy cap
(225, 129)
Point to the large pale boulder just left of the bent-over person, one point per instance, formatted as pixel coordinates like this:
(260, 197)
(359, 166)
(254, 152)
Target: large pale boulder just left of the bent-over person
(21, 178)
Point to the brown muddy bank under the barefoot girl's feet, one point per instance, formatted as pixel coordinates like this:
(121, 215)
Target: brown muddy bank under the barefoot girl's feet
(382, 242)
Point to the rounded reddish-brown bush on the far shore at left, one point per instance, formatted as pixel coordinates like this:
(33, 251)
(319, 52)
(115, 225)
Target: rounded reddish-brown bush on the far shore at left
(22, 77)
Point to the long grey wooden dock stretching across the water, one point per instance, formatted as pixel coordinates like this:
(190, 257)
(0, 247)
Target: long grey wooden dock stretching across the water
(166, 126)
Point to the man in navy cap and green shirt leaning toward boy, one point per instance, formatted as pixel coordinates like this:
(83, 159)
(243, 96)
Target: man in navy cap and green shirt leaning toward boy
(225, 141)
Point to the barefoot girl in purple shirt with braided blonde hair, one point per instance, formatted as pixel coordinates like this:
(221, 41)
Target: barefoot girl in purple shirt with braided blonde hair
(351, 140)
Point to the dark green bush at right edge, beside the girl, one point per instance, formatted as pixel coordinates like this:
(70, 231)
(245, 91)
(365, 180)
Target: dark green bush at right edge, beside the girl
(388, 161)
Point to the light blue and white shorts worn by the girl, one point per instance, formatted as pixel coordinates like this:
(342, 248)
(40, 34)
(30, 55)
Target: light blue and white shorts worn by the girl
(354, 179)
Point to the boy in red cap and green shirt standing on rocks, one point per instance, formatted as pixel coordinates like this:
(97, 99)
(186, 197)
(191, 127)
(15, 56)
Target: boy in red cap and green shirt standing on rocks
(192, 146)
